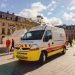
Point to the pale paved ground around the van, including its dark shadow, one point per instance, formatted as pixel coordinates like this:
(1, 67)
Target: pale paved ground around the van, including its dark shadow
(56, 65)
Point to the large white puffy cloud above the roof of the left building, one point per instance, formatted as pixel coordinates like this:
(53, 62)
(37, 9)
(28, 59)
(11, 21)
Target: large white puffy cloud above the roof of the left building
(35, 10)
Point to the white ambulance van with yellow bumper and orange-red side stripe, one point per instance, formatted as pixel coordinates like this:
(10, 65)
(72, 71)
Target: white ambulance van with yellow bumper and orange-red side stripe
(39, 43)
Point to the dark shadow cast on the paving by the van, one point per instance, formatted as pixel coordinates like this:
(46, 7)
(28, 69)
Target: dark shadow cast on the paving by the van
(21, 68)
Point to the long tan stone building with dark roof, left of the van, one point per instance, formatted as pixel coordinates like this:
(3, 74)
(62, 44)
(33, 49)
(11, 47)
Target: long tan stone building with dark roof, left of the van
(10, 22)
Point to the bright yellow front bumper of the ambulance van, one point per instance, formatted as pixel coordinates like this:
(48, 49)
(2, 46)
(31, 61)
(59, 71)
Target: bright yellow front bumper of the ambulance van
(28, 55)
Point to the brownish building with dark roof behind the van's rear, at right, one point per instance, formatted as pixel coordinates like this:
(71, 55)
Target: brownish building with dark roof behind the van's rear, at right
(69, 30)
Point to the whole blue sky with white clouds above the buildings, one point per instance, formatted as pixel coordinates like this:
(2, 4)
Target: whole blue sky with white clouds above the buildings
(53, 11)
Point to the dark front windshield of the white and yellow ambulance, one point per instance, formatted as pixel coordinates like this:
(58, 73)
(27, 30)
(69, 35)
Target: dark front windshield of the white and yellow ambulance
(33, 35)
